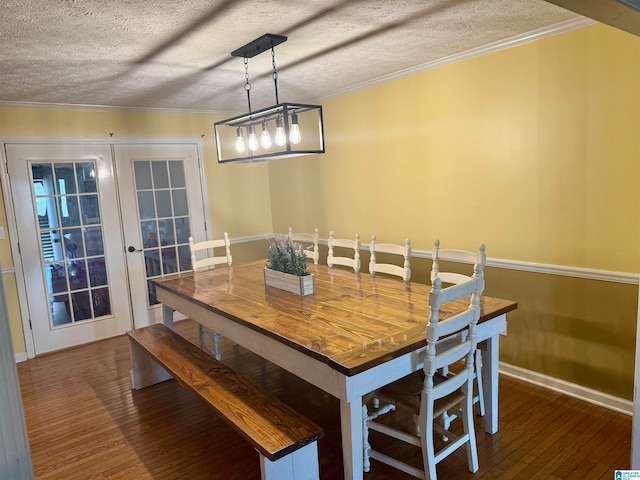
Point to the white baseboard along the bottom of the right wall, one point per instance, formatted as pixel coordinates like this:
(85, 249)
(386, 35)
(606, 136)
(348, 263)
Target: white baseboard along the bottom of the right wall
(573, 390)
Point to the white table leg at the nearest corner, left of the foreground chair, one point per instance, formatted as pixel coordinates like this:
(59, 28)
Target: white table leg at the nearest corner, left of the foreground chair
(351, 427)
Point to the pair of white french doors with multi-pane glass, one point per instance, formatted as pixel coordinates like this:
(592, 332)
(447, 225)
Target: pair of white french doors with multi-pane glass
(75, 225)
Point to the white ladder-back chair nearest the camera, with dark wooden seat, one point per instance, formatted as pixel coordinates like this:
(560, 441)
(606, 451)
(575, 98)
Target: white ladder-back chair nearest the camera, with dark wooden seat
(426, 394)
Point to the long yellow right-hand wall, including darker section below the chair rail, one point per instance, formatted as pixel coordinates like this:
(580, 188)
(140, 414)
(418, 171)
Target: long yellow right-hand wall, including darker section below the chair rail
(532, 150)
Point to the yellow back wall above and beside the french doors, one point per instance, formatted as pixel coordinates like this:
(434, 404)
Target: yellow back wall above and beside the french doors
(238, 194)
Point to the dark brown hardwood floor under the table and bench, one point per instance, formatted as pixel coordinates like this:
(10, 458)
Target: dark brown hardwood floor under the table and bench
(84, 422)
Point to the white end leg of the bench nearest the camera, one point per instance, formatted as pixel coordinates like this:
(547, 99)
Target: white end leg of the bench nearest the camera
(299, 465)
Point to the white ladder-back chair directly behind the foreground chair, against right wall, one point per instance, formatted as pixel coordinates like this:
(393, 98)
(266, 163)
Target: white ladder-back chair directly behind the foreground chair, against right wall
(465, 257)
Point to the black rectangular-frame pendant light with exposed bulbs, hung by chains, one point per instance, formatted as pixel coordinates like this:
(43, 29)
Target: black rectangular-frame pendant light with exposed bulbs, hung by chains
(297, 128)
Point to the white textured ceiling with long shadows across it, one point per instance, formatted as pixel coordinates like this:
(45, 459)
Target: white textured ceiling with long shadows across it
(175, 54)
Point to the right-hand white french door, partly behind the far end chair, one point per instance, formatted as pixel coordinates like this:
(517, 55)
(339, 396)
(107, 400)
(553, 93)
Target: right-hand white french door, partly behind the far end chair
(160, 186)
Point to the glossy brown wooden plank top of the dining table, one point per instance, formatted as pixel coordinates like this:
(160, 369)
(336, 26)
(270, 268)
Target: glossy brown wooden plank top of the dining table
(353, 321)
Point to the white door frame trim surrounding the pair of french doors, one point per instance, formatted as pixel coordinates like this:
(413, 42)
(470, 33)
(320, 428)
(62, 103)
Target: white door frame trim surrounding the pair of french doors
(12, 221)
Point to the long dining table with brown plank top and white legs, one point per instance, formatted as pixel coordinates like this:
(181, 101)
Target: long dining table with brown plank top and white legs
(357, 332)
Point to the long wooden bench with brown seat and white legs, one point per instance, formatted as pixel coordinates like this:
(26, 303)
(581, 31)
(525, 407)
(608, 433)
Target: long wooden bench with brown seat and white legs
(285, 439)
